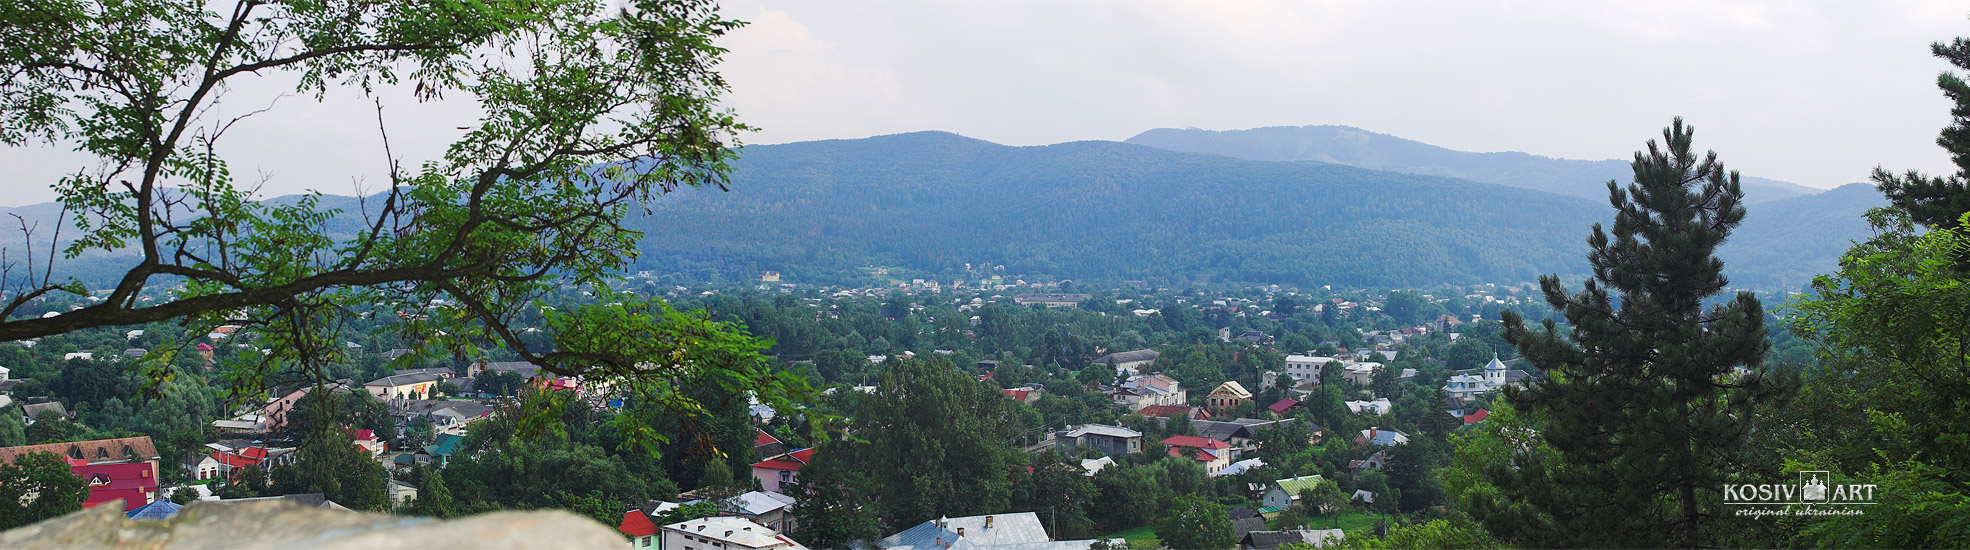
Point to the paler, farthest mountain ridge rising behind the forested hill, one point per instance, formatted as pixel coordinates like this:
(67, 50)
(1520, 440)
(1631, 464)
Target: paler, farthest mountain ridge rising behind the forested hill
(1362, 149)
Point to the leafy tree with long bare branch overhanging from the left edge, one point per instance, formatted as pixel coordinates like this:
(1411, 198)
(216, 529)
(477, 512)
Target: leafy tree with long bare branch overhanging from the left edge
(590, 109)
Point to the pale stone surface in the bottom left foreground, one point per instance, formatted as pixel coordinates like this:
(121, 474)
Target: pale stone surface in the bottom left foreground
(287, 525)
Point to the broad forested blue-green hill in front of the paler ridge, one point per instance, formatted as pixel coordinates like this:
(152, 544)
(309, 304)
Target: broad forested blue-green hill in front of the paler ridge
(1106, 212)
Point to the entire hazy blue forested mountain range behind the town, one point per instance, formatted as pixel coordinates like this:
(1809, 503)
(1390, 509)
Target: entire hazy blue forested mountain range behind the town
(1307, 208)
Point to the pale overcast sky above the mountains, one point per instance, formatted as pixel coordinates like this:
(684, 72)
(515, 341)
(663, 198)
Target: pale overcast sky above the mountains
(1813, 94)
